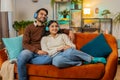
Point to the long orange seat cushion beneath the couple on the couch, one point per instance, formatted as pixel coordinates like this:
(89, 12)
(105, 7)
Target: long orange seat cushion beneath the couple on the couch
(93, 71)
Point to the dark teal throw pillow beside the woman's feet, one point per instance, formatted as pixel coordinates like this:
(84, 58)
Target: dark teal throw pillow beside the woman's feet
(98, 47)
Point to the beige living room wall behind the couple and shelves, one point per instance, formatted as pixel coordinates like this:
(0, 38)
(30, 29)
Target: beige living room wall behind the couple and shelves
(25, 9)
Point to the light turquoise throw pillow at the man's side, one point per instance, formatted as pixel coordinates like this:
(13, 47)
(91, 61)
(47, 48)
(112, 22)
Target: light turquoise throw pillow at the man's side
(13, 46)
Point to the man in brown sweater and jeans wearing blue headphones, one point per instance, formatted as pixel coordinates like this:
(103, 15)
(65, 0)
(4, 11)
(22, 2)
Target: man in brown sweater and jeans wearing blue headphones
(32, 52)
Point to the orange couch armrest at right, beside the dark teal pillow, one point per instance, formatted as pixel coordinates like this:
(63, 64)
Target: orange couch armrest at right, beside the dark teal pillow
(111, 66)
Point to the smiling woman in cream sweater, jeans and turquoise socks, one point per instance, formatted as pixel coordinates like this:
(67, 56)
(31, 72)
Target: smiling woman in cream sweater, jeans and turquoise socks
(62, 50)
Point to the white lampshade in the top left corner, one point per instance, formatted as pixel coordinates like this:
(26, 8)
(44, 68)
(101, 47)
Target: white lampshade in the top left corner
(6, 5)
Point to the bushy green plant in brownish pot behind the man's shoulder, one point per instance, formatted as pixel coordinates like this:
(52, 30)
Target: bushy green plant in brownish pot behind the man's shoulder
(19, 26)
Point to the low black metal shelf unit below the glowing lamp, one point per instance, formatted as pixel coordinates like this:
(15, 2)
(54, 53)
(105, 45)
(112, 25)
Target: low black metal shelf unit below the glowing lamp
(98, 25)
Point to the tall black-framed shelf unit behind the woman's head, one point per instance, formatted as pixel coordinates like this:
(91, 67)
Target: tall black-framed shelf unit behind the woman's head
(74, 19)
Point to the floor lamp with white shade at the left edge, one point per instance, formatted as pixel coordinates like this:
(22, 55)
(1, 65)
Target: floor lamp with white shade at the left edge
(7, 8)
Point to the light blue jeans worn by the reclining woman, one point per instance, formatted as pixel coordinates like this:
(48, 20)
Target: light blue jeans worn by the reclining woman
(70, 57)
